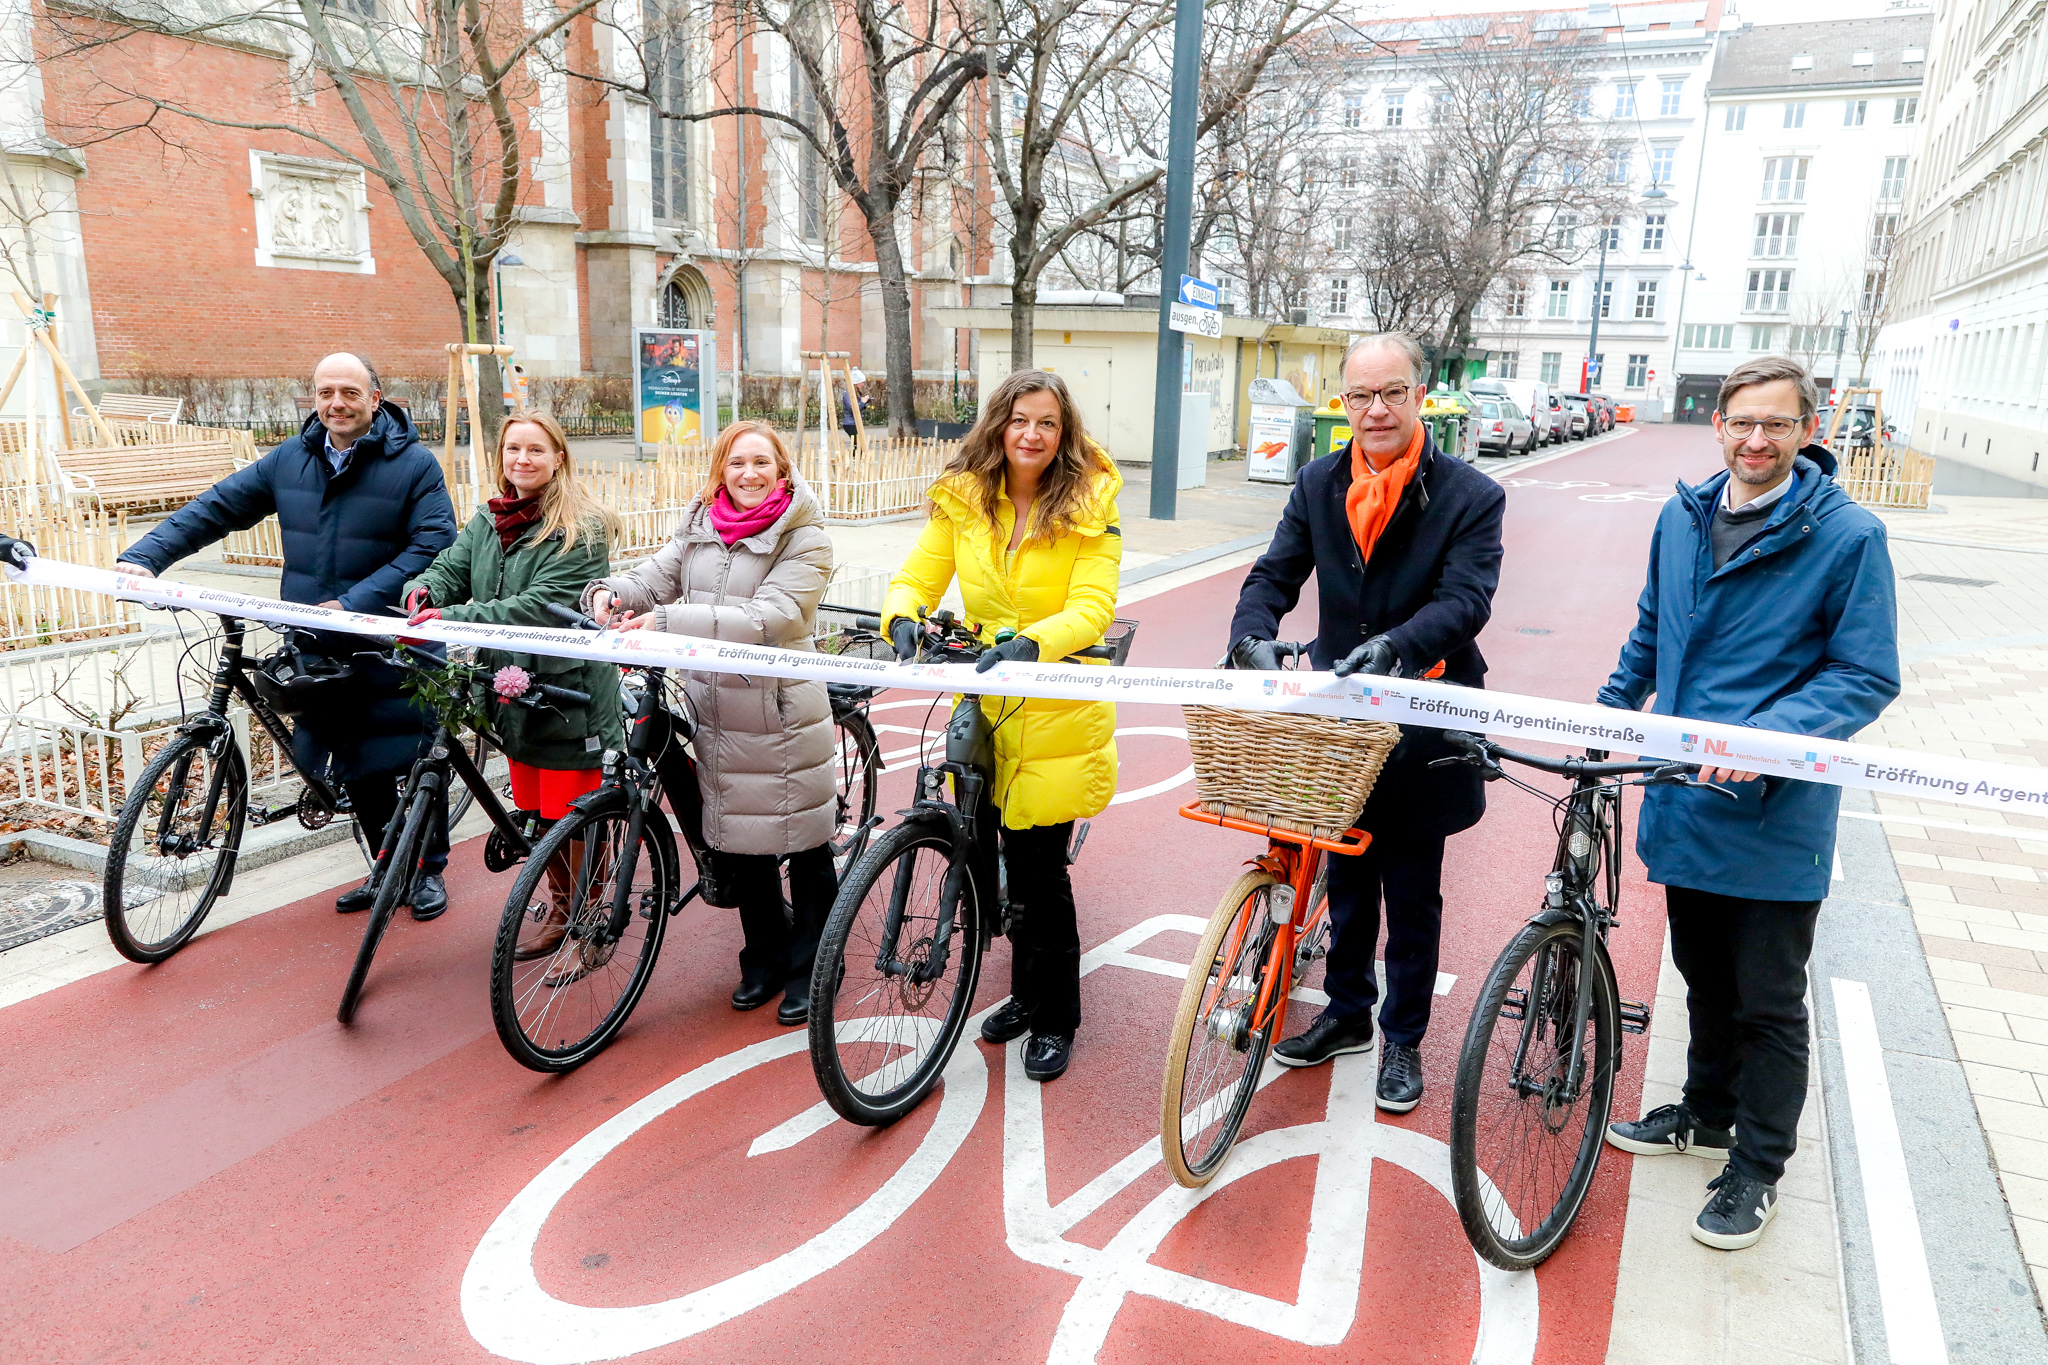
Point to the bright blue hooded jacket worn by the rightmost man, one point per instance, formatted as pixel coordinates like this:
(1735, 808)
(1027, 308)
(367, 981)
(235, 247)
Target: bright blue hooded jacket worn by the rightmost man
(1797, 633)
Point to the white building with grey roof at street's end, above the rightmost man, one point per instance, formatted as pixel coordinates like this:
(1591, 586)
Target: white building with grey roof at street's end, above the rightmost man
(1809, 140)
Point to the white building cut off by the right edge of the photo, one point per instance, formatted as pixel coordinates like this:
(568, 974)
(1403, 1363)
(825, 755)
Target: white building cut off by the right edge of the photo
(1963, 355)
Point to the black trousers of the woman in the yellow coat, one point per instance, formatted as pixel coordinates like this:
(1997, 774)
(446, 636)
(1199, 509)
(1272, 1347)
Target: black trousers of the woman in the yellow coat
(1046, 942)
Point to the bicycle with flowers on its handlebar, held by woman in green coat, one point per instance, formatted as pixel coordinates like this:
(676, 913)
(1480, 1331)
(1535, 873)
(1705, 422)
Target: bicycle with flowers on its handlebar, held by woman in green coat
(404, 838)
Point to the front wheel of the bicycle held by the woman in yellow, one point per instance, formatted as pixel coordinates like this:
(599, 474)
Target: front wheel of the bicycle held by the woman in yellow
(896, 977)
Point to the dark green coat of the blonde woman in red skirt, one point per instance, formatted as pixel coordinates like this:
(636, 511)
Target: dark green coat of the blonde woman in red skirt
(478, 580)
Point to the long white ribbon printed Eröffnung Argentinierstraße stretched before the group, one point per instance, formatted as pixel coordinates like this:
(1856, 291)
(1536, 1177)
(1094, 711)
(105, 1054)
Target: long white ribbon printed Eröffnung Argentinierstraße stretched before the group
(1502, 715)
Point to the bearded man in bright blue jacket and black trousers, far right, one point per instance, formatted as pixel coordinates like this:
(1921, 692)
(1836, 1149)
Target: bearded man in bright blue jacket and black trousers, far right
(1768, 605)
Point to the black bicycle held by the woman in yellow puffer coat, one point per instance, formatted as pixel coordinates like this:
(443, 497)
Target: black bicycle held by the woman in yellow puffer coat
(886, 959)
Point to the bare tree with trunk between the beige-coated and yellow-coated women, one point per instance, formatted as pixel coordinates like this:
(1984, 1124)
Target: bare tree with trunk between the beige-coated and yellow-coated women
(886, 75)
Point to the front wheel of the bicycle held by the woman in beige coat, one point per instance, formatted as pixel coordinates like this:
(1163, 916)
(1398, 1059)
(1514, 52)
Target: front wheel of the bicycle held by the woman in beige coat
(560, 1010)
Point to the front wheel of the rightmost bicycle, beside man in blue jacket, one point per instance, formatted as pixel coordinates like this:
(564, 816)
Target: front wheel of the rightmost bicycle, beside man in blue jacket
(1525, 1131)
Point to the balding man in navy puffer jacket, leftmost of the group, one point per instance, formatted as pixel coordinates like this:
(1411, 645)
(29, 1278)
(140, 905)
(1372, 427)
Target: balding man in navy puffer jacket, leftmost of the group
(361, 507)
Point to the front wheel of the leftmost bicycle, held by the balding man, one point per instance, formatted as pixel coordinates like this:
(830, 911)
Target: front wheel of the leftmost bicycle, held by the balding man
(175, 846)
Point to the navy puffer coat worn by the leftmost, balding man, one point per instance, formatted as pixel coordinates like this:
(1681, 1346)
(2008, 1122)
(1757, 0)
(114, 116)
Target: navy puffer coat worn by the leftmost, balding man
(351, 537)
